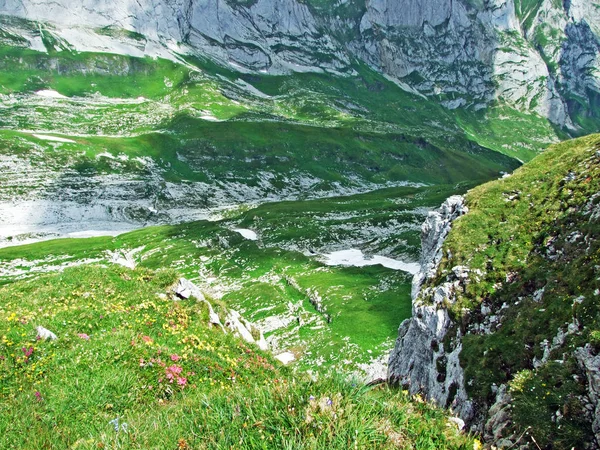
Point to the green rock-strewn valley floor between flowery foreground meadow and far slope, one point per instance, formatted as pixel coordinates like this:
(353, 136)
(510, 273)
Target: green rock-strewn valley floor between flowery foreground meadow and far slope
(281, 280)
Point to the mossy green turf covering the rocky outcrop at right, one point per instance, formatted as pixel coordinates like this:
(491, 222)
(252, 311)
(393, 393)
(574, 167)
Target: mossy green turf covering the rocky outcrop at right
(534, 237)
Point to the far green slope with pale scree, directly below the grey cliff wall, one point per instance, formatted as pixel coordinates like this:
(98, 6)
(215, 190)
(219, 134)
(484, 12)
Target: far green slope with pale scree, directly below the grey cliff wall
(102, 141)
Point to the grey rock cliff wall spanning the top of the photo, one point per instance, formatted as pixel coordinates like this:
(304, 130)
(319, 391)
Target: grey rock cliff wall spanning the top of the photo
(467, 53)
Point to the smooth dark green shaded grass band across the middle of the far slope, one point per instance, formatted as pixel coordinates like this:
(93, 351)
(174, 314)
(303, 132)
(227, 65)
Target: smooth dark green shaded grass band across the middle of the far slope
(245, 148)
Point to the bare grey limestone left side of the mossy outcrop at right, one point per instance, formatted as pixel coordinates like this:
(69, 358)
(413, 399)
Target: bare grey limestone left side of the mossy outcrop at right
(424, 359)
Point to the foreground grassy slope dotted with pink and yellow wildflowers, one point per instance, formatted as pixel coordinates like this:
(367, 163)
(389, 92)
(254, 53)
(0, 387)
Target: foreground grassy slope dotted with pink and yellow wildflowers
(134, 366)
